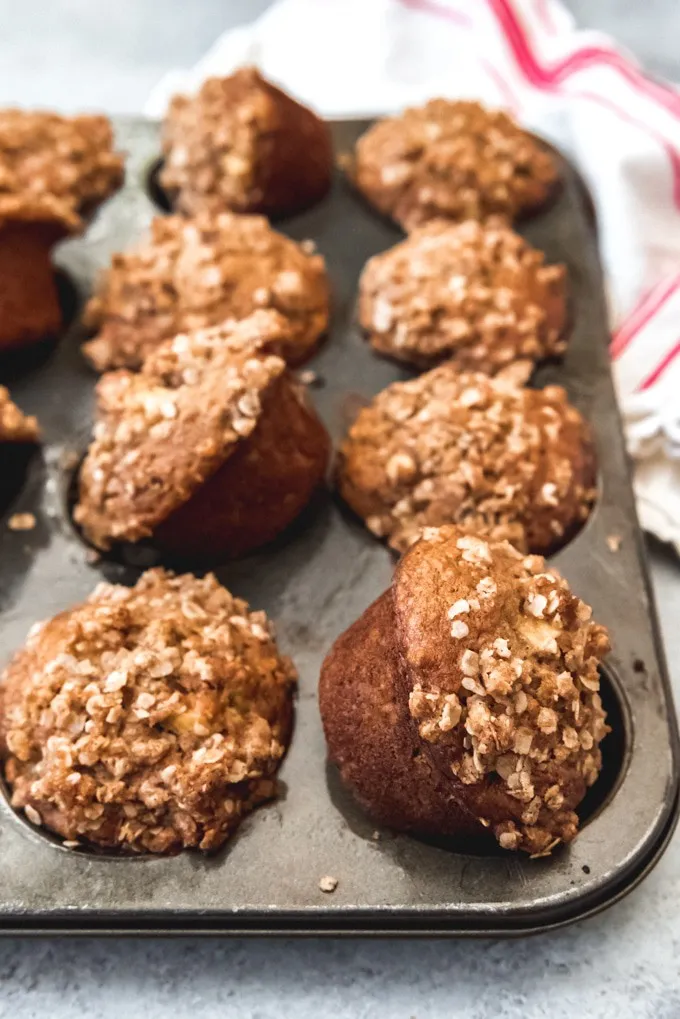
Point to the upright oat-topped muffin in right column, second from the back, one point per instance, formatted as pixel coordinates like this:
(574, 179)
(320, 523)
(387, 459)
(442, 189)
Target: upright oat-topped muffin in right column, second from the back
(477, 294)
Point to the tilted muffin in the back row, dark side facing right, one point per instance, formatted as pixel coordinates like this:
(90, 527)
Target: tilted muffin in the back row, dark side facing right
(244, 145)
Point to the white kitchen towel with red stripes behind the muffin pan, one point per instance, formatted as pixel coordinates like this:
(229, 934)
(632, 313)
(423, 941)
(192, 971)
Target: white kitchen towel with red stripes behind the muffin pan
(577, 88)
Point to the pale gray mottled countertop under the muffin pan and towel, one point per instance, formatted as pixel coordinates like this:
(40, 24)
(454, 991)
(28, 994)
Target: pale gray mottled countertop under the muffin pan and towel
(74, 55)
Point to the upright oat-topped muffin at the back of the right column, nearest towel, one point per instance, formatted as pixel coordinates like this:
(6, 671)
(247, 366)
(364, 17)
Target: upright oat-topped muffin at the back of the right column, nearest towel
(453, 160)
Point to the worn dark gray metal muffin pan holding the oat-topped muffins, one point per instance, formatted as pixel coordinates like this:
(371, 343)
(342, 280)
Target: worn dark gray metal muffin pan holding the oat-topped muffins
(315, 582)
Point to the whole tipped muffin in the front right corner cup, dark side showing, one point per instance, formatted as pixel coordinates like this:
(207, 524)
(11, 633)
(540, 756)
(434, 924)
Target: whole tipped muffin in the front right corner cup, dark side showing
(489, 666)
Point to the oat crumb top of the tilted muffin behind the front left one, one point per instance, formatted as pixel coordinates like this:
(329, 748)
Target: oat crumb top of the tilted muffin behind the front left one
(162, 433)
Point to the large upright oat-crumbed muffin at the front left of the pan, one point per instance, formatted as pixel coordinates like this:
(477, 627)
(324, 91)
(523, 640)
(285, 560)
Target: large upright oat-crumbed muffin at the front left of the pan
(147, 719)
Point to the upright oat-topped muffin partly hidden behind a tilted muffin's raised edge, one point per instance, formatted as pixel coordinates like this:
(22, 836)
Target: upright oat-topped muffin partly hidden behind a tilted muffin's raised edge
(190, 275)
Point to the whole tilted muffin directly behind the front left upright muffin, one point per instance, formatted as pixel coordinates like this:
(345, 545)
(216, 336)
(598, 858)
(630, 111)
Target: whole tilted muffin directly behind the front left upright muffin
(211, 451)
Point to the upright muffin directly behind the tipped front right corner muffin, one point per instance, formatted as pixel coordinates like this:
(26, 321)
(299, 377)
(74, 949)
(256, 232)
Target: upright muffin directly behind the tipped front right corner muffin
(466, 449)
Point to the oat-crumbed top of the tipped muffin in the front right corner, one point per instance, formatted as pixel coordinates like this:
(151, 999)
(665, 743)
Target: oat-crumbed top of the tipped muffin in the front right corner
(502, 665)
